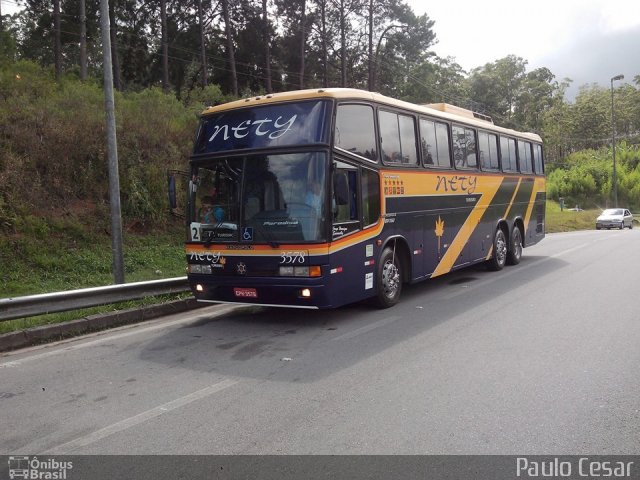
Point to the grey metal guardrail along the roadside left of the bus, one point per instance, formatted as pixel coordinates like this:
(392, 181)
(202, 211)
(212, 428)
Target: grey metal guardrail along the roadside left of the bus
(32, 305)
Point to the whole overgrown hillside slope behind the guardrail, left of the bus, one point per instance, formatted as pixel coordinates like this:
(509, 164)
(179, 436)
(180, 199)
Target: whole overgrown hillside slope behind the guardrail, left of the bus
(54, 205)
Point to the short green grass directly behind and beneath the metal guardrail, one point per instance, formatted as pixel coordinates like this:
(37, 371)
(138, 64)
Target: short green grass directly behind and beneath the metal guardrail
(54, 255)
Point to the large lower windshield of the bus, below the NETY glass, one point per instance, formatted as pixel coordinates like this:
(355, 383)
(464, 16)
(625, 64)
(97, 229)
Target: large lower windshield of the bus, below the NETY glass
(272, 199)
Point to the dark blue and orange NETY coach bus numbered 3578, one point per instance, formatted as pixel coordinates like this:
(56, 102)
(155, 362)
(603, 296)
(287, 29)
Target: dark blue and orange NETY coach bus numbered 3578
(321, 198)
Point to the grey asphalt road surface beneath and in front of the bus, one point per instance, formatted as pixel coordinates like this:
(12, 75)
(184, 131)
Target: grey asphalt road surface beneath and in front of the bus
(540, 358)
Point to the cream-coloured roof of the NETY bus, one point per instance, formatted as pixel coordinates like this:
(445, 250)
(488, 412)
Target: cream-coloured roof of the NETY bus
(440, 110)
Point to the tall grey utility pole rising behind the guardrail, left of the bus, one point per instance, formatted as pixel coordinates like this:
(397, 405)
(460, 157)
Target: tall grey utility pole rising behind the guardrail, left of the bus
(112, 147)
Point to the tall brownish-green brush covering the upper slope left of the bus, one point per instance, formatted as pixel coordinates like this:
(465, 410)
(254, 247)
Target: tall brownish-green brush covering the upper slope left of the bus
(53, 147)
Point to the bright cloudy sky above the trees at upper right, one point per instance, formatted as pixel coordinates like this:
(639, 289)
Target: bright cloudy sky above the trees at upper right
(588, 41)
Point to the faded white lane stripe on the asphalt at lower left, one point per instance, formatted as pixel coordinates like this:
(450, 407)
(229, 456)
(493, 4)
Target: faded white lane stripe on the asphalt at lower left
(138, 419)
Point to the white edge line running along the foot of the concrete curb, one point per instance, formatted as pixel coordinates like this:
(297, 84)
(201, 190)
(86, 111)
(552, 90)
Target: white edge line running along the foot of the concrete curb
(106, 336)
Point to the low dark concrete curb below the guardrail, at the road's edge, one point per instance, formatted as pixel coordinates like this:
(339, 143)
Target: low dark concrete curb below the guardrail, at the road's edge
(58, 331)
